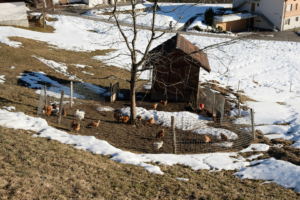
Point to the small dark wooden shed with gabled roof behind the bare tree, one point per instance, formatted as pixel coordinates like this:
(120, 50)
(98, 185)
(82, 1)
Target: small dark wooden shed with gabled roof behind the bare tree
(176, 69)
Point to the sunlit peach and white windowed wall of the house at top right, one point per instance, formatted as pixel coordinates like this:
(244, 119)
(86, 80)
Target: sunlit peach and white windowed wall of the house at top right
(292, 15)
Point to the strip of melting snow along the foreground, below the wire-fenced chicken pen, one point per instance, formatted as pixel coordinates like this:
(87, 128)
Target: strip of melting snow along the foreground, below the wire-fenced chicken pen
(280, 172)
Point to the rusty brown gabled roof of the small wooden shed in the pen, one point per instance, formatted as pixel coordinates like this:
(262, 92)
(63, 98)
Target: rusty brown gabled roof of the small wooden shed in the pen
(178, 42)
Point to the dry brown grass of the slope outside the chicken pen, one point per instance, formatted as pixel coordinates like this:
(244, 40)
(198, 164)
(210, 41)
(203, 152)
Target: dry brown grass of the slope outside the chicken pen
(39, 168)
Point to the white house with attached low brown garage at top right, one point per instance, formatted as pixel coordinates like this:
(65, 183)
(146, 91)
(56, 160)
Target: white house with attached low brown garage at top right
(276, 15)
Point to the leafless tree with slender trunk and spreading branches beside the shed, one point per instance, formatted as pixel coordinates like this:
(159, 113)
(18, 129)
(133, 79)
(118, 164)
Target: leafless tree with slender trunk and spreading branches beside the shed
(142, 60)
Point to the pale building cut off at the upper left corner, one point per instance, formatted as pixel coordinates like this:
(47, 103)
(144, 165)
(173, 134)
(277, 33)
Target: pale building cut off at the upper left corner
(13, 13)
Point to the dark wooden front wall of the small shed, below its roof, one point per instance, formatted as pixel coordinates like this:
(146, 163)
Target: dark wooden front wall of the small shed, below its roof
(174, 75)
